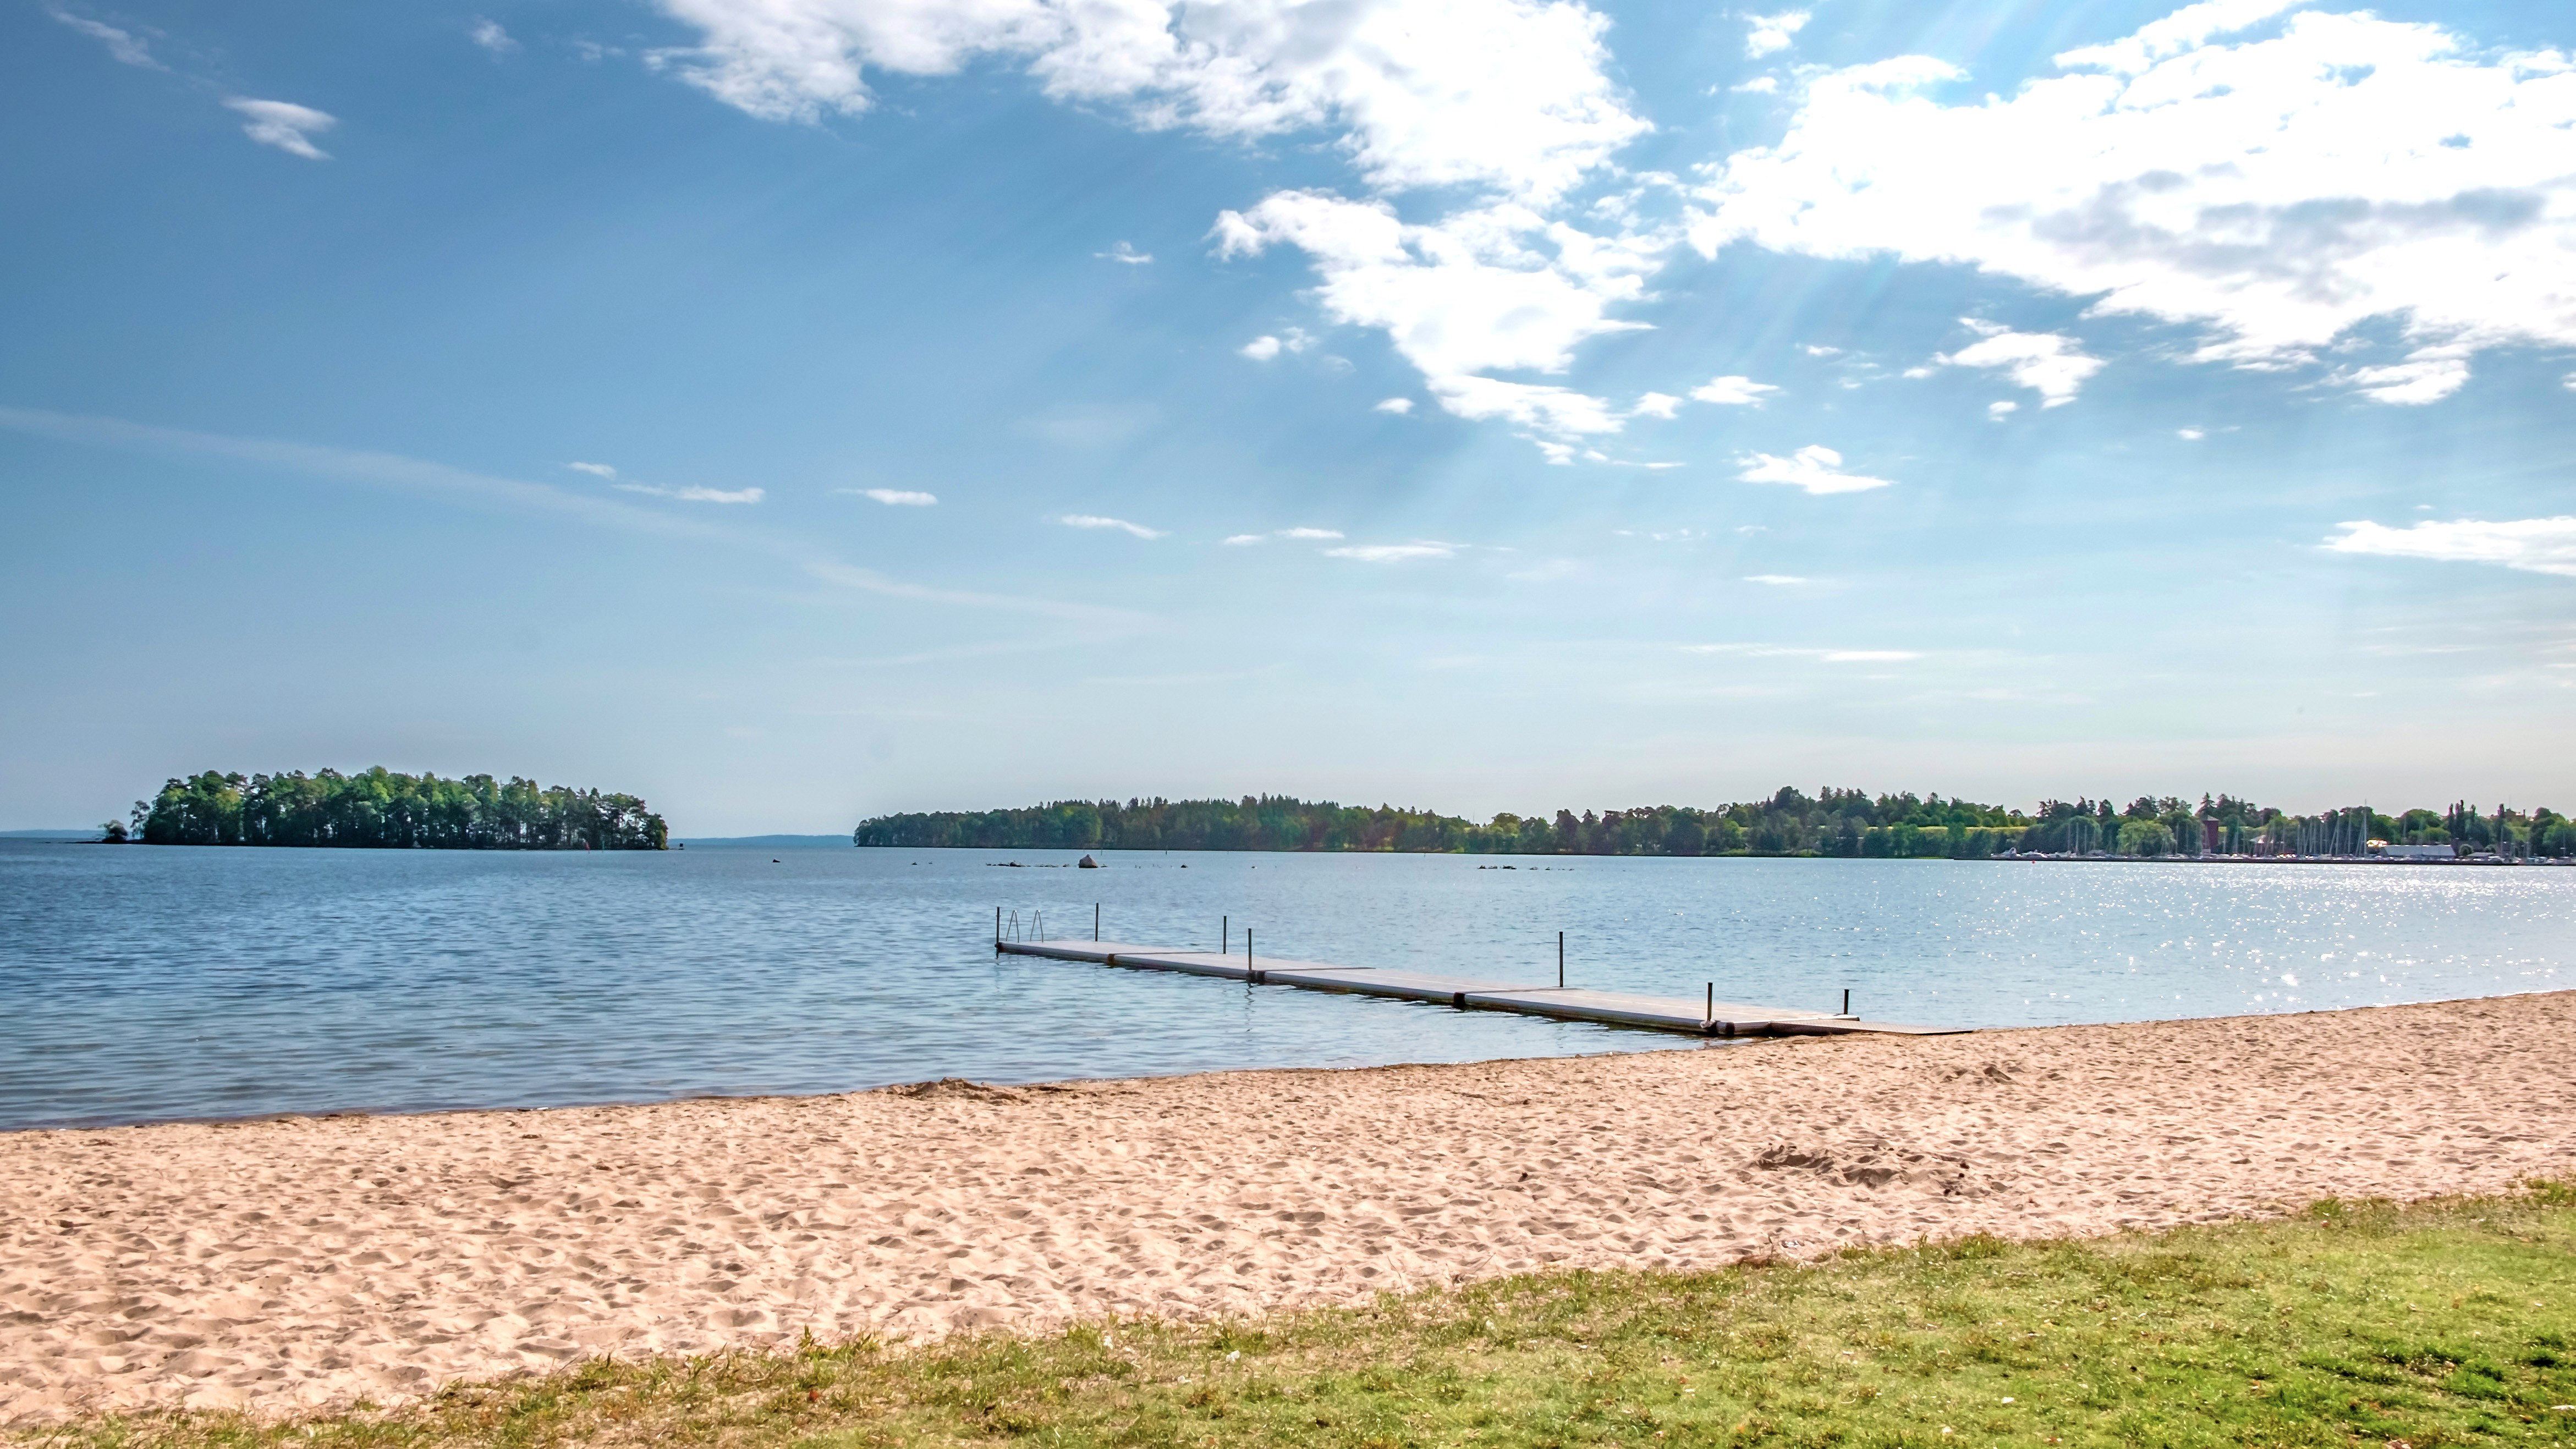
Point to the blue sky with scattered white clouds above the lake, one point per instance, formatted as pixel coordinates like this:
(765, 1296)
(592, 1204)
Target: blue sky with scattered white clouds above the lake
(808, 409)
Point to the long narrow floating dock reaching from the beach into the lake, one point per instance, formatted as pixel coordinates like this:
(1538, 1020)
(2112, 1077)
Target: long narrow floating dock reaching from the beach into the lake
(1707, 1017)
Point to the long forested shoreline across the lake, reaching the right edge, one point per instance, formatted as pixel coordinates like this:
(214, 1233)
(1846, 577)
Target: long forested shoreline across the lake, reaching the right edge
(1789, 824)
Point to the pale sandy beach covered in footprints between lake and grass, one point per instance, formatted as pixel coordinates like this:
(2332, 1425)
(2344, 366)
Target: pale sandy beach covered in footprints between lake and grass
(305, 1262)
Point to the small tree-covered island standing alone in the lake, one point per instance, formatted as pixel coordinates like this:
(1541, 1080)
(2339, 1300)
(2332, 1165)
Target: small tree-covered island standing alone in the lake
(393, 811)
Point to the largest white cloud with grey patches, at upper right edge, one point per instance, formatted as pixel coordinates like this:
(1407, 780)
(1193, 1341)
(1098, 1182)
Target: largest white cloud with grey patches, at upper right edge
(2273, 192)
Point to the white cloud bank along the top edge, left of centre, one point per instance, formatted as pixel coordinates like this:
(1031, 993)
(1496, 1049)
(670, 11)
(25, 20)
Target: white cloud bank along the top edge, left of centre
(1498, 94)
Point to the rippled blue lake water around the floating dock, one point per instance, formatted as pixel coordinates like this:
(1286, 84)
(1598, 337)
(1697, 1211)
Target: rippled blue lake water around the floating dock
(156, 984)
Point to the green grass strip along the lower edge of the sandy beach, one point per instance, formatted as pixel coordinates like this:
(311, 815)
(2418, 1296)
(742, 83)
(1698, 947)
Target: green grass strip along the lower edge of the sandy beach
(2345, 1327)
